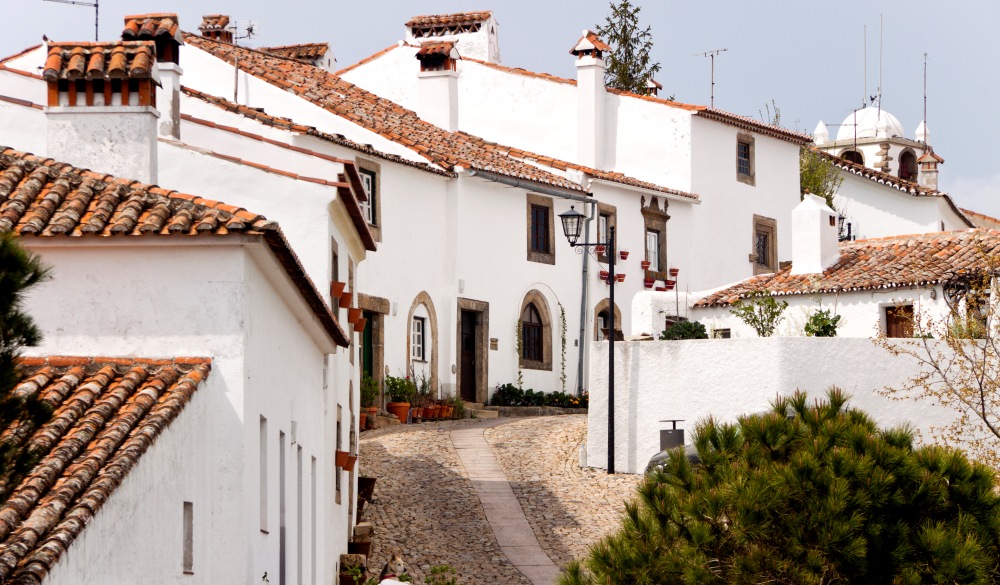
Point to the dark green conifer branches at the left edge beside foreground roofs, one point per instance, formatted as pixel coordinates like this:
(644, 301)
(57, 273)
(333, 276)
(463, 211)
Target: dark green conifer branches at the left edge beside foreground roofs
(19, 415)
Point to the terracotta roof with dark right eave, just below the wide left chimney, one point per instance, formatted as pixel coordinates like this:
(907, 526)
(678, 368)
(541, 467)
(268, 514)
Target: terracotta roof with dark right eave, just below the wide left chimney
(40, 197)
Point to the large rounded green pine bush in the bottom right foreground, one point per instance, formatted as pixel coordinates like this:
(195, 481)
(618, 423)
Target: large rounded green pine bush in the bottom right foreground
(809, 494)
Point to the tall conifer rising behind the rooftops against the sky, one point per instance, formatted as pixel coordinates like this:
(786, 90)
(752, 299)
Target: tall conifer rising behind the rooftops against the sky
(628, 66)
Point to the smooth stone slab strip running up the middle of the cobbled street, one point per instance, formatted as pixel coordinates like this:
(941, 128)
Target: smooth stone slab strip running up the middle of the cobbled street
(510, 527)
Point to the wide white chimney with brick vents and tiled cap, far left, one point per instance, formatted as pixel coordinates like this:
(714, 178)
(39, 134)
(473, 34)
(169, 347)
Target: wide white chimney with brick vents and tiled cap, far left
(101, 110)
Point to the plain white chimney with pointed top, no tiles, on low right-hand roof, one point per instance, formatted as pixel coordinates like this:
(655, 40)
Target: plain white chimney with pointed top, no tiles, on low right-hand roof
(814, 236)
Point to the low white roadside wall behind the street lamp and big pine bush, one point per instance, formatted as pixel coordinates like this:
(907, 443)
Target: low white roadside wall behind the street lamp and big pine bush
(726, 378)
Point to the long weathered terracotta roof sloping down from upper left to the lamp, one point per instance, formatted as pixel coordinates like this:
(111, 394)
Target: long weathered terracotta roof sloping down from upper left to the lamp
(445, 149)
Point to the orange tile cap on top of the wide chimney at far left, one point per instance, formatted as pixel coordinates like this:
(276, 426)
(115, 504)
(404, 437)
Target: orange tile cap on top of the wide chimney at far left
(121, 60)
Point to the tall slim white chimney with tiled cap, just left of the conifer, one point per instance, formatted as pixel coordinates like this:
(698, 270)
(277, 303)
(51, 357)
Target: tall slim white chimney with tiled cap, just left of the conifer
(591, 107)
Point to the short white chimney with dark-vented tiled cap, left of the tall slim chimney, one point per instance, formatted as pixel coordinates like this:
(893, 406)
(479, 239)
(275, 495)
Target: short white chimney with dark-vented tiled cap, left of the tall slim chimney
(438, 83)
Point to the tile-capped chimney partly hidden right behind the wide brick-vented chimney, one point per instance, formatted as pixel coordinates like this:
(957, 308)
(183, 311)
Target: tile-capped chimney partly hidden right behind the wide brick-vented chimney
(165, 33)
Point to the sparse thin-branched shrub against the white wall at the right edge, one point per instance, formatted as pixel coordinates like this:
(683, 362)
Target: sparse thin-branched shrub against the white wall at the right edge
(959, 360)
